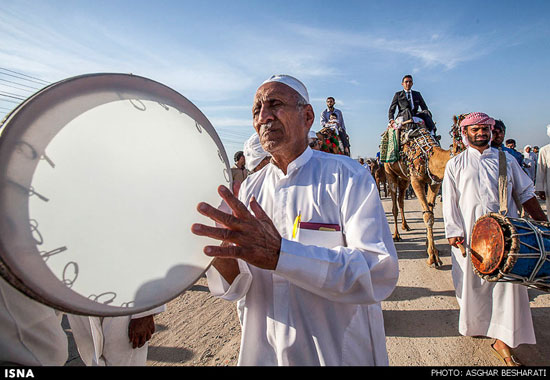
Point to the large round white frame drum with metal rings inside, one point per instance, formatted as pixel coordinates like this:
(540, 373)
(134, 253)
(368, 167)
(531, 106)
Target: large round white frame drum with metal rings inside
(100, 177)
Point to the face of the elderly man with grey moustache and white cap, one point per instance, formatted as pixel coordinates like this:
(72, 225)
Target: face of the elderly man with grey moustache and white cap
(282, 125)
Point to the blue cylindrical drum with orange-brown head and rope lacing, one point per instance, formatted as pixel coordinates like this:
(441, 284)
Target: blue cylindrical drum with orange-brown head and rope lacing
(512, 250)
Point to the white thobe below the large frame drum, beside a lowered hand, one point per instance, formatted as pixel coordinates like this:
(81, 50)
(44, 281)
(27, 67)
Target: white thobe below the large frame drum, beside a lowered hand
(105, 342)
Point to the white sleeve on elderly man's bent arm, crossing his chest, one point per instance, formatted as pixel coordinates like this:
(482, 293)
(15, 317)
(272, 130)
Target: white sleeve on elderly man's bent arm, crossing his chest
(365, 271)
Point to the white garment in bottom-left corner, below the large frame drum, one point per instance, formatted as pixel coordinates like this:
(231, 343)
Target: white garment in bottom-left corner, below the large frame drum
(30, 333)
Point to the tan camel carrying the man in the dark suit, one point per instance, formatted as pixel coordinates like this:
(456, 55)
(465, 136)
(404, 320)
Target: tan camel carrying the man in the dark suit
(422, 164)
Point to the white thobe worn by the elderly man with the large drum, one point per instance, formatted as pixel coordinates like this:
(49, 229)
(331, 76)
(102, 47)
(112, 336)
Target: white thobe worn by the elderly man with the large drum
(321, 305)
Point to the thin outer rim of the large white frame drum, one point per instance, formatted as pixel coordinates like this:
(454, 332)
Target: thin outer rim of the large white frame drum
(9, 123)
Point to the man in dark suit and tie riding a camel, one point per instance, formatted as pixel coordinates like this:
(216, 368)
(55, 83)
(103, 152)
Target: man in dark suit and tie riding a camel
(408, 102)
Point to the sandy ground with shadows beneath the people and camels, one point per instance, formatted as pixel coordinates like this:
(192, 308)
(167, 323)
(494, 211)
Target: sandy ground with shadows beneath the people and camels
(421, 317)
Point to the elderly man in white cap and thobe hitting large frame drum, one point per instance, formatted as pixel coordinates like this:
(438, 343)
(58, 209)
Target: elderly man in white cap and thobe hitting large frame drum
(308, 253)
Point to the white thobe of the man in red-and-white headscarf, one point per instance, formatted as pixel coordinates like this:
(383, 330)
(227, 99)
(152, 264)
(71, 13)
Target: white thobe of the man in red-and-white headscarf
(470, 190)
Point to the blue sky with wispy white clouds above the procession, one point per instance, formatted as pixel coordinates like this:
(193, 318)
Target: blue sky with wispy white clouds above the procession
(465, 56)
